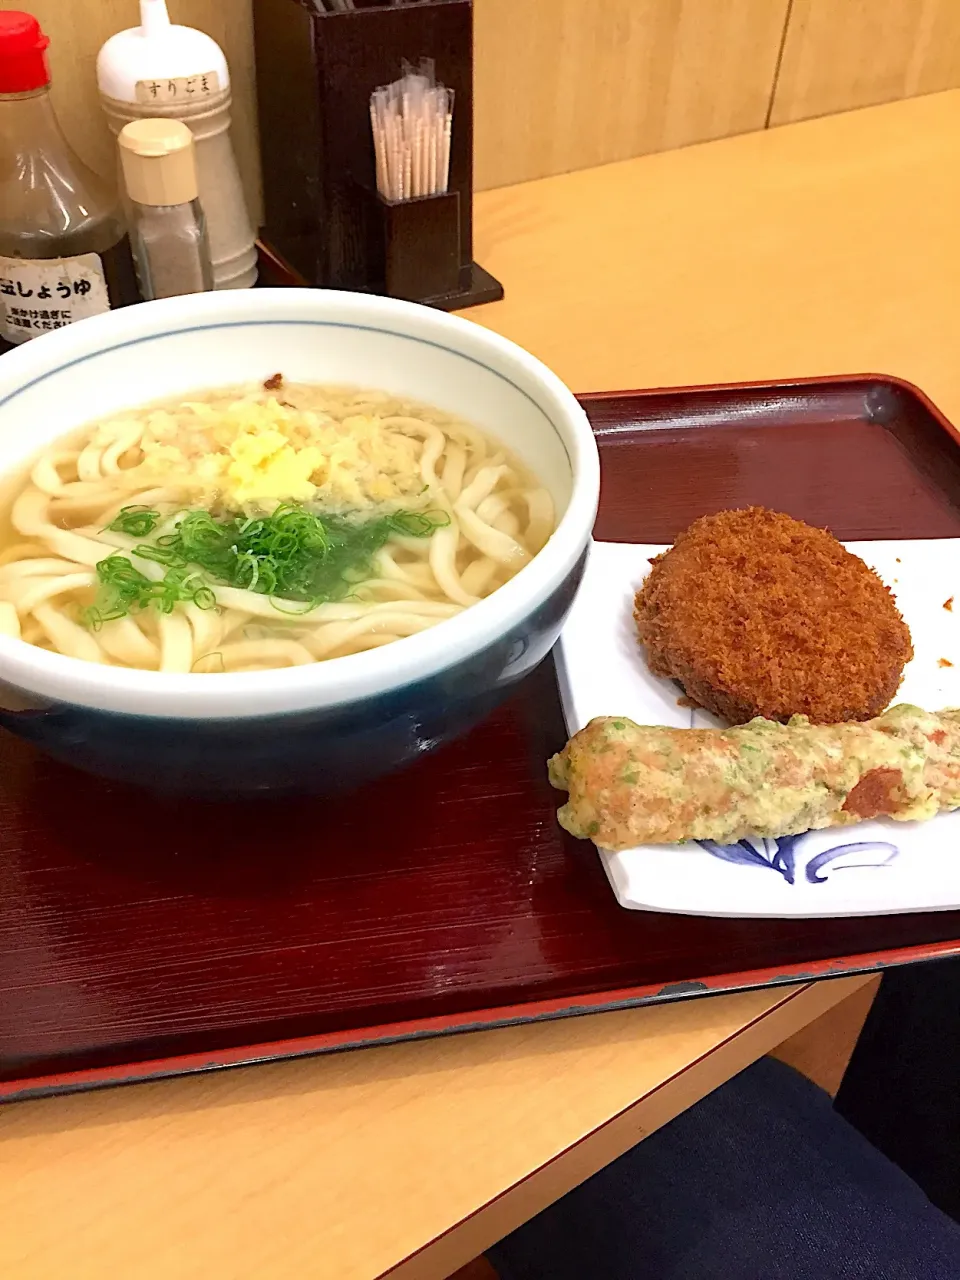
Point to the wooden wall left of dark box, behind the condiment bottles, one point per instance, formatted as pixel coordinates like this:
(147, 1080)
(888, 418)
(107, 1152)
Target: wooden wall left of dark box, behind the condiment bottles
(77, 29)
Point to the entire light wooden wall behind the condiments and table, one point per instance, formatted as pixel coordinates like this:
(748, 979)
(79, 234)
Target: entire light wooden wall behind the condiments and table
(564, 85)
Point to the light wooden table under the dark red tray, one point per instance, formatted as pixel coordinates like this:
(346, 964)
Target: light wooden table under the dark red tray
(829, 246)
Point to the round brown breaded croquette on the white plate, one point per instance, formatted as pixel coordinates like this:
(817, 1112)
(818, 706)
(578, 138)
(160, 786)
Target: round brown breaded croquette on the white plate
(757, 614)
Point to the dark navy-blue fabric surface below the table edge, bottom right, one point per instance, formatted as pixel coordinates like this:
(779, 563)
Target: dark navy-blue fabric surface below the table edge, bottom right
(761, 1181)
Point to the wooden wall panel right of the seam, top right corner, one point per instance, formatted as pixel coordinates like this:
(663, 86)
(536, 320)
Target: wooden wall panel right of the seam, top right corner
(842, 54)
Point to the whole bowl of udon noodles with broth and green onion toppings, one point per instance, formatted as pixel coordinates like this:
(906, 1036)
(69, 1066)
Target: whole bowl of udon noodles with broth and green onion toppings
(280, 541)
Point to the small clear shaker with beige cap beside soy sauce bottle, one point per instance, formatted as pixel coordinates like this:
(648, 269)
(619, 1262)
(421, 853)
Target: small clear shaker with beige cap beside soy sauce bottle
(167, 226)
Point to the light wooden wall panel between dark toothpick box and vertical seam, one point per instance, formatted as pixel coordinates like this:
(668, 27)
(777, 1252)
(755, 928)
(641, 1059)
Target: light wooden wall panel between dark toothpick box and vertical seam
(565, 85)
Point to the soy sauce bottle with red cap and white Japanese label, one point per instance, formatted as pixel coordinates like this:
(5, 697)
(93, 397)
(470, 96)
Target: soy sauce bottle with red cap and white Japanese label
(65, 253)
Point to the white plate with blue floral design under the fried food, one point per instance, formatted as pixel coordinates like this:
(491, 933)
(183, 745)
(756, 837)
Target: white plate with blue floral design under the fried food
(874, 868)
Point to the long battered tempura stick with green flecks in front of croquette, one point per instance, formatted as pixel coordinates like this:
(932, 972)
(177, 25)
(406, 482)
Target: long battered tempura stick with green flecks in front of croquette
(641, 785)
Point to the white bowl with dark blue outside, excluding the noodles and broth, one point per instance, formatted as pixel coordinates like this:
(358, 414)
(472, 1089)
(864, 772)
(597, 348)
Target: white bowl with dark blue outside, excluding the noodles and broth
(353, 717)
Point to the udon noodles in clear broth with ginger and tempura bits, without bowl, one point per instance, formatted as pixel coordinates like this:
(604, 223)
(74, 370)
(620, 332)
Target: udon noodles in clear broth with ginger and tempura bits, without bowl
(346, 455)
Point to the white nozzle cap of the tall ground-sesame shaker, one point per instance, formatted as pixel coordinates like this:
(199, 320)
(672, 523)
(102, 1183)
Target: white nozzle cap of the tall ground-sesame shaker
(157, 51)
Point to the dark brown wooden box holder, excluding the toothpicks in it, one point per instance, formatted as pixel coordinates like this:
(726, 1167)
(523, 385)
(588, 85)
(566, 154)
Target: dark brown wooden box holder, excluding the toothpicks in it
(324, 218)
